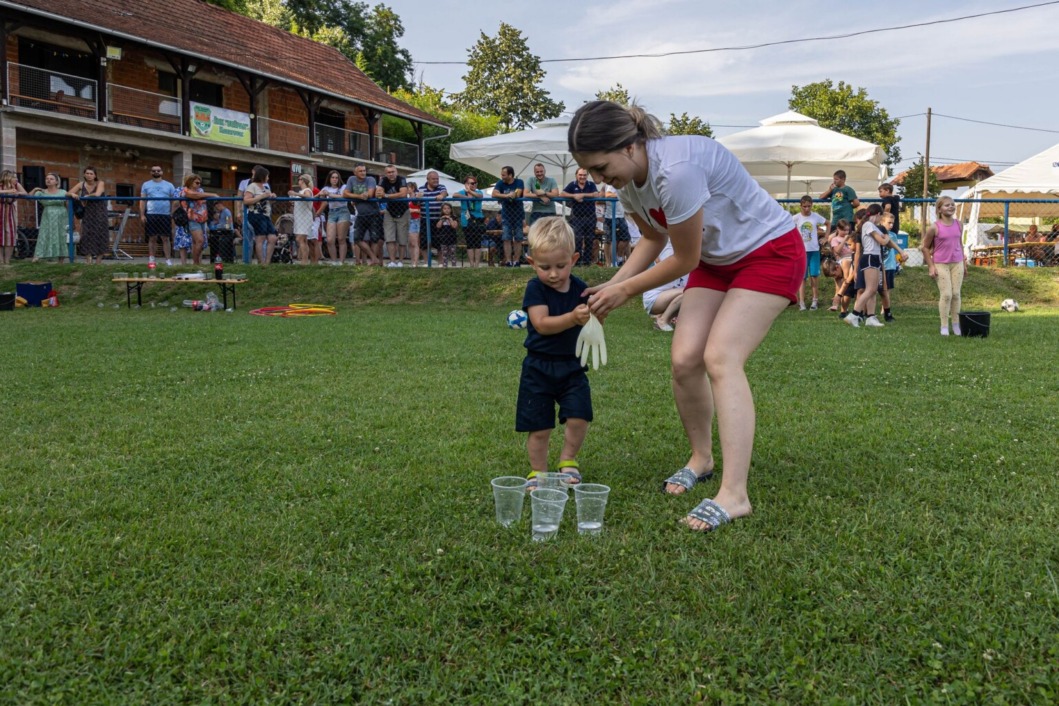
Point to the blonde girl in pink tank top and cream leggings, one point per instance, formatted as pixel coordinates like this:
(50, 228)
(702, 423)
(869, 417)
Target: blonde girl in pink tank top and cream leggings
(944, 254)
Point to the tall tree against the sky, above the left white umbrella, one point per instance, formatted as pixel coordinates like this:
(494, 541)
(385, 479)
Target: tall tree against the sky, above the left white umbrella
(504, 79)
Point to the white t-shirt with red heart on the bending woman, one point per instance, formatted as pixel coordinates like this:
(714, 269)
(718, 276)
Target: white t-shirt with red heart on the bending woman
(688, 174)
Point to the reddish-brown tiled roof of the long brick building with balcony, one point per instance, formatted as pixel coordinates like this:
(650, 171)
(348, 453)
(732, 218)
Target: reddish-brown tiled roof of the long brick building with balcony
(199, 29)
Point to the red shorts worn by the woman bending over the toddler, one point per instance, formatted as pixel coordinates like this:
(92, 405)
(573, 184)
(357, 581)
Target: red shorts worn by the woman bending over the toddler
(776, 268)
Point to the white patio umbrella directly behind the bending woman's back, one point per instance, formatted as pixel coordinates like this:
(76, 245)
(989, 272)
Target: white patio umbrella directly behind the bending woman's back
(791, 155)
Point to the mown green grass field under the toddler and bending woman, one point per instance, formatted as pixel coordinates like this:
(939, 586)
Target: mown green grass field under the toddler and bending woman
(225, 509)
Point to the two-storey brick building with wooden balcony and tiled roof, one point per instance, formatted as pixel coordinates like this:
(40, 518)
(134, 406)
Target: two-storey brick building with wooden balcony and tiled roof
(122, 85)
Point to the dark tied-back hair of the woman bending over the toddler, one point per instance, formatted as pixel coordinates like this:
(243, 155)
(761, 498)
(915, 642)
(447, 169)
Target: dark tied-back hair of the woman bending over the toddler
(603, 126)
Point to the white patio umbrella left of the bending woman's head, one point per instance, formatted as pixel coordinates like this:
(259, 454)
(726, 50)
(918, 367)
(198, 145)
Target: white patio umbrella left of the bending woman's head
(545, 142)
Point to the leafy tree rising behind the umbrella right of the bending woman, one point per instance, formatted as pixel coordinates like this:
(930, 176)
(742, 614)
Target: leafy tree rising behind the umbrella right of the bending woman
(841, 110)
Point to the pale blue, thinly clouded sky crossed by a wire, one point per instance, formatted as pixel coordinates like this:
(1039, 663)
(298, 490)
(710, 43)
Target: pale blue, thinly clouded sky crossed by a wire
(996, 69)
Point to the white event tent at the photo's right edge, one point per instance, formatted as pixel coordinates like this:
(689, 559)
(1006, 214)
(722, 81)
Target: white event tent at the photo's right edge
(1034, 179)
